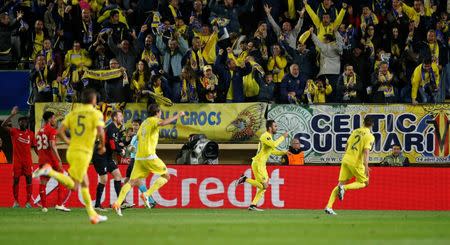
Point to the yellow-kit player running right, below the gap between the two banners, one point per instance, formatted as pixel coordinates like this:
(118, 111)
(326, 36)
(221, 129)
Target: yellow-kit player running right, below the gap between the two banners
(267, 146)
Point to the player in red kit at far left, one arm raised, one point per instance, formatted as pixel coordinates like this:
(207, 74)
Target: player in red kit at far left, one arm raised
(22, 140)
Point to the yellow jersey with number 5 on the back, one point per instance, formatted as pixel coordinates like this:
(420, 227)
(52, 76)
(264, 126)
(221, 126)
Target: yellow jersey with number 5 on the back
(82, 123)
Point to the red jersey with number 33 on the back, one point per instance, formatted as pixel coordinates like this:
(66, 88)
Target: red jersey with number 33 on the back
(46, 134)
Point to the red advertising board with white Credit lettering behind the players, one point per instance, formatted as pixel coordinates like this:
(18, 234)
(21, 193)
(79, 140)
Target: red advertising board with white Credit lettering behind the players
(293, 187)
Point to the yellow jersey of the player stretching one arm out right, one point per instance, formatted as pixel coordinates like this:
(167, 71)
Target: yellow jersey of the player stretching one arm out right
(147, 136)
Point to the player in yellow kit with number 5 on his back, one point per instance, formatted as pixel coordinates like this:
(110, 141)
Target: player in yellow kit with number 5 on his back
(85, 124)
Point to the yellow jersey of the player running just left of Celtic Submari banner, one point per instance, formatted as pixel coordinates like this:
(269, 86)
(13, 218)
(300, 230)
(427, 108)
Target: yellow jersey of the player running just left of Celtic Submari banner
(266, 147)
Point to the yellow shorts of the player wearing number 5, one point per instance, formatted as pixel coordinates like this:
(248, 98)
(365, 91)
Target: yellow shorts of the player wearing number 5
(79, 164)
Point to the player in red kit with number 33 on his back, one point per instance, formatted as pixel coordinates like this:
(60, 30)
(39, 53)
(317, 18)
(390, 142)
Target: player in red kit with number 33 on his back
(48, 153)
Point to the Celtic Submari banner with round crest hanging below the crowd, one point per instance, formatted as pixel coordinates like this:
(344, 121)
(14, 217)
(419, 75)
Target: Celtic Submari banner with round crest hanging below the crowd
(422, 131)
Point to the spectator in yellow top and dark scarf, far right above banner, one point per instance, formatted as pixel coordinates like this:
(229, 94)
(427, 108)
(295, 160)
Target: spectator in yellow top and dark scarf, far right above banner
(425, 82)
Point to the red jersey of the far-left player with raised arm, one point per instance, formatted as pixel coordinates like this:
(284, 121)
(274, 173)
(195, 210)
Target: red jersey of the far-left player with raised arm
(22, 142)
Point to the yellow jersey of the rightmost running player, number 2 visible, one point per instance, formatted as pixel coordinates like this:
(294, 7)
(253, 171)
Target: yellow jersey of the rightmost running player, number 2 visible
(359, 140)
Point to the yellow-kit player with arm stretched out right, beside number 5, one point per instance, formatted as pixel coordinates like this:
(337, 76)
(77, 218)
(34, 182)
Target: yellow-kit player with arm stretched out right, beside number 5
(146, 160)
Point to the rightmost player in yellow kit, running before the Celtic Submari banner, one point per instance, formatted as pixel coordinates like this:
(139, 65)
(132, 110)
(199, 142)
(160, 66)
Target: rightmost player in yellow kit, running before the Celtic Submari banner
(355, 163)
